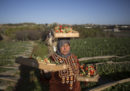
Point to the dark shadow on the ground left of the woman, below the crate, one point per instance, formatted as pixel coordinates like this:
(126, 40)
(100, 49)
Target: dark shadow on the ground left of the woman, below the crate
(31, 79)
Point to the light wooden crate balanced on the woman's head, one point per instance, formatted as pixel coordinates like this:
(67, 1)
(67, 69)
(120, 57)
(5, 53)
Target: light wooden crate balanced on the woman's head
(66, 35)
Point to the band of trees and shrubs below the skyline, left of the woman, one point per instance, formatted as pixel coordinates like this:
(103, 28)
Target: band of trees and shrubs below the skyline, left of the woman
(27, 31)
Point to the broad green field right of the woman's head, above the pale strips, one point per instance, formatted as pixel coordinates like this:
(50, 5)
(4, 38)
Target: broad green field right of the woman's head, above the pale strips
(90, 47)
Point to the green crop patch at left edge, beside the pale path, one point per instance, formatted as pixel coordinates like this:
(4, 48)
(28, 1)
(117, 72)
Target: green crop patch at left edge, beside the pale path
(9, 49)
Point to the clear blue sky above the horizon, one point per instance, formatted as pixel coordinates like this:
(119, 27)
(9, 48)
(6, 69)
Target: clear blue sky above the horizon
(65, 11)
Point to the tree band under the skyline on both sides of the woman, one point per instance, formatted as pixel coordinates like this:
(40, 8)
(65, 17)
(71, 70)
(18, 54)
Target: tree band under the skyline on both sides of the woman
(32, 31)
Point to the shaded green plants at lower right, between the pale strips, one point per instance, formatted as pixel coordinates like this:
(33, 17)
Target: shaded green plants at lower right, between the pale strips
(109, 73)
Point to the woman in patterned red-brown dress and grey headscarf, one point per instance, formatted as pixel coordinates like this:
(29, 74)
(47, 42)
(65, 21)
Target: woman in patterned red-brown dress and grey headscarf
(64, 80)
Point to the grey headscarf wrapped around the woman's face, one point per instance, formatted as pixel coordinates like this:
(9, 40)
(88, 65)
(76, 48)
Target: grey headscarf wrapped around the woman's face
(60, 43)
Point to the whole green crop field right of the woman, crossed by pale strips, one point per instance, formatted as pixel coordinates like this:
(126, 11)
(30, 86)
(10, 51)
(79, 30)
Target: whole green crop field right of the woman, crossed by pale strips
(91, 47)
